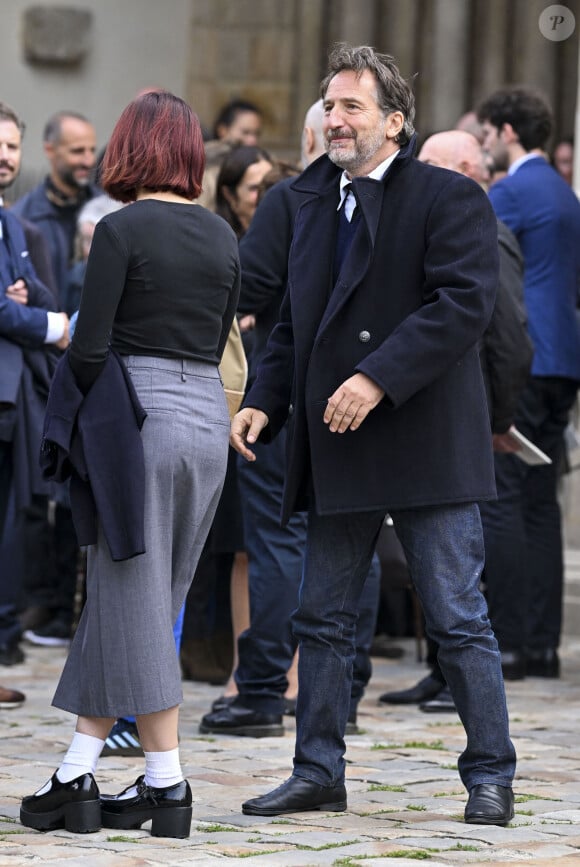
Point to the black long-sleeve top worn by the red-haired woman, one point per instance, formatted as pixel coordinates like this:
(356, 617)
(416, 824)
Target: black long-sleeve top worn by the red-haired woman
(162, 279)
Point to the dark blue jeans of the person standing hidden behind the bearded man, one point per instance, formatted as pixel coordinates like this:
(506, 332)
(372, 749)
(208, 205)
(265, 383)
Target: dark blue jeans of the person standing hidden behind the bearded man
(275, 563)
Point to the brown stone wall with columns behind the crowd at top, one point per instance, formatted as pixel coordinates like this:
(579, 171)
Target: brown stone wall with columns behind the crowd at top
(457, 51)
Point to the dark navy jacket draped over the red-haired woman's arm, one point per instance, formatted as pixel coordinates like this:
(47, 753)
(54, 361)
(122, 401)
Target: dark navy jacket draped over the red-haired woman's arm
(95, 440)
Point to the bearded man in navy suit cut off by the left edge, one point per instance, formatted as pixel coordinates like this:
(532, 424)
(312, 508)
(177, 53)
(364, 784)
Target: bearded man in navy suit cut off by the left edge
(27, 323)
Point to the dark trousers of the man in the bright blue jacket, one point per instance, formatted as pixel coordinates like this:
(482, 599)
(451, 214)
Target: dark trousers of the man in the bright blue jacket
(522, 528)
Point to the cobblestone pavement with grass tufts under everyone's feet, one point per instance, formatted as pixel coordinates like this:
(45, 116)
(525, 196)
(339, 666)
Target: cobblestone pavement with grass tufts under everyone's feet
(405, 798)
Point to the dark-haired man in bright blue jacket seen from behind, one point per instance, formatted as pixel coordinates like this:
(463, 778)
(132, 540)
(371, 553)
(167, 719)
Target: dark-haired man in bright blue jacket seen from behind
(524, 561)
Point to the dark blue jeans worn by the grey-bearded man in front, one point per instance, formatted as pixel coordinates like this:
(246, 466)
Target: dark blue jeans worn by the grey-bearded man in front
(444, 549)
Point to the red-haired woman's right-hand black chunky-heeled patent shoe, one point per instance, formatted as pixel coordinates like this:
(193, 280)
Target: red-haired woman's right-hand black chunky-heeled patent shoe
(169, 809)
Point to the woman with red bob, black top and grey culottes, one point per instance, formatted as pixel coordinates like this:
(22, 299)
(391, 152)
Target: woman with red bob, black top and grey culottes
(160, 294)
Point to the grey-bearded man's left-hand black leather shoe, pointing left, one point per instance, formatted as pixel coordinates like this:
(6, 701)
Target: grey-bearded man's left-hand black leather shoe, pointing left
(297, 795)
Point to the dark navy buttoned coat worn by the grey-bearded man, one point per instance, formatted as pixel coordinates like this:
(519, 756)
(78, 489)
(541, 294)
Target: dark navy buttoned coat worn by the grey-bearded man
(408, 309)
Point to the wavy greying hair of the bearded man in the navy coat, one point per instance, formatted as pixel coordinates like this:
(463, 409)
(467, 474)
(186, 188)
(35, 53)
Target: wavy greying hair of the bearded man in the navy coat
(393, 92)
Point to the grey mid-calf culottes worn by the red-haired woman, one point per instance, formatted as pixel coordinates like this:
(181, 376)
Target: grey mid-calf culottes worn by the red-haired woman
(122, 660)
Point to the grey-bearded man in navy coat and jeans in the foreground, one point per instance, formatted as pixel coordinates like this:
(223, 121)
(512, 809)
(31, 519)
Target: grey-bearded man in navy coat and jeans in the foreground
(391, 283)
